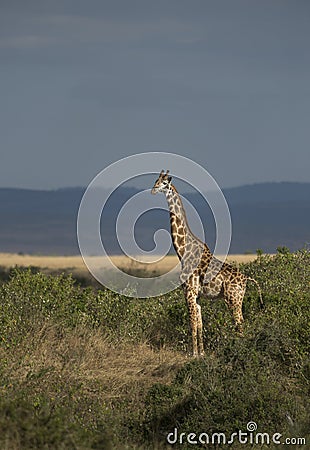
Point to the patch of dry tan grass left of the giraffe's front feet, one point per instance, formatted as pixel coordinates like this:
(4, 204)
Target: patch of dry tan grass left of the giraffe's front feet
(88, 357)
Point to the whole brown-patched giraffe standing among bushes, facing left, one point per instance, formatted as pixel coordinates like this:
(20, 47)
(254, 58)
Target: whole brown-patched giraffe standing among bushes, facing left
(201, 273)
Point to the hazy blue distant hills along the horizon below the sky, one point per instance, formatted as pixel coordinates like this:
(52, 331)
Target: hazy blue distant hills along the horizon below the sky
(264, 216)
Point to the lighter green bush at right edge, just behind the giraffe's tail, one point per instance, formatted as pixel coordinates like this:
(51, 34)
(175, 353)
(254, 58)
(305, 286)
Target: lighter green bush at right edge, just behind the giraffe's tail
(285, 282)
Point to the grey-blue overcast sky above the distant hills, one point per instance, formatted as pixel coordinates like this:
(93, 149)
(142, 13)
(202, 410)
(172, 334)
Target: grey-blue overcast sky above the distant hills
(84, 83)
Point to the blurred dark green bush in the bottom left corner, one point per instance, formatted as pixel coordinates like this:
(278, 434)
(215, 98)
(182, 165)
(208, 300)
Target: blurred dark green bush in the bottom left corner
(33, 420)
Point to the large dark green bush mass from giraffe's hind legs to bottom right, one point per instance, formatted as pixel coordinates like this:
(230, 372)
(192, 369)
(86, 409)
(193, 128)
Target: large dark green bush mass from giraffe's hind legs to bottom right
(261, 377)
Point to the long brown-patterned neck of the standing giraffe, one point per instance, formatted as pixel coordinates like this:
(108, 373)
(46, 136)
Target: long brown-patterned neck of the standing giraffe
(180, 230)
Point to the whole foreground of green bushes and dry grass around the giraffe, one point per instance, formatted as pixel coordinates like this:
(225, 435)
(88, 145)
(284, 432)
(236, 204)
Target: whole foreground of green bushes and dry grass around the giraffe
(85, 368)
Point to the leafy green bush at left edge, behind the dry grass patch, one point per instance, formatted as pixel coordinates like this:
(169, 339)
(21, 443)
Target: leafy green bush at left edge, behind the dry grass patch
(28, 300)
